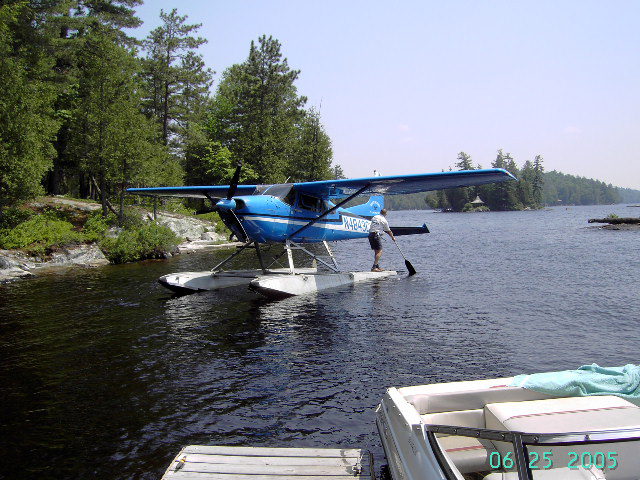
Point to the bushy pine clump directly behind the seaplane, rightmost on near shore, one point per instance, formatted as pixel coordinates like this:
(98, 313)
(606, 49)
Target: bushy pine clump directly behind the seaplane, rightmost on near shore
(258, 118)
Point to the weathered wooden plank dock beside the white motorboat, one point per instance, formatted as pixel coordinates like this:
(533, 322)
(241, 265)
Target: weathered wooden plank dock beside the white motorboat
(199, 462)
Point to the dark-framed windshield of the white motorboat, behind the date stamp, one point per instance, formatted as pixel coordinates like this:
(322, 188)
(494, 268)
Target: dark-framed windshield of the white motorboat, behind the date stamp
(482, 454)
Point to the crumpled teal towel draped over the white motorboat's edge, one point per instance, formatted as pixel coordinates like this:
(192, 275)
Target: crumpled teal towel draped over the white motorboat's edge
(587, 380)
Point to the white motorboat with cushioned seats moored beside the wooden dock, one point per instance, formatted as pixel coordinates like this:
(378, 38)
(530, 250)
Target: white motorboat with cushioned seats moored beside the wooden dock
(493, 430)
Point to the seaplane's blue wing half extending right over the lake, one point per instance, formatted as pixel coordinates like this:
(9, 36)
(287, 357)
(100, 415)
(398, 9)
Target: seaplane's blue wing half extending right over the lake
(401, 184)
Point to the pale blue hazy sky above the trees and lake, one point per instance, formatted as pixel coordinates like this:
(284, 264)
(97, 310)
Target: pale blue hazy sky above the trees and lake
(404, 86)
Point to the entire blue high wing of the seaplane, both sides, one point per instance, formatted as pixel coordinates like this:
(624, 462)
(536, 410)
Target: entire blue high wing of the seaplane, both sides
(332, 189)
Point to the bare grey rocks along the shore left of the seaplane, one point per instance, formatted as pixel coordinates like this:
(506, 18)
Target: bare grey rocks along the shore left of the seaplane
(199, 236)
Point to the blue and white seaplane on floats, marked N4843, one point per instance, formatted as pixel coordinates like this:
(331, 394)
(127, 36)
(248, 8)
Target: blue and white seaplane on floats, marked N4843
(297, 214)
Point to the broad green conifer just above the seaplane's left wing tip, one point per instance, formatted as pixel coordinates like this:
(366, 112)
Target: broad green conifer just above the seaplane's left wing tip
(111, 137)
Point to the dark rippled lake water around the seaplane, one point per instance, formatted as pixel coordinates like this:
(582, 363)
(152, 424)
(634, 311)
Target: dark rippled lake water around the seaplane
(104, 374)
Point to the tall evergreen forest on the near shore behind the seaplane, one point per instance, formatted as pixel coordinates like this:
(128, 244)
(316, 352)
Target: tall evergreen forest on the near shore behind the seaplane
(88, 111)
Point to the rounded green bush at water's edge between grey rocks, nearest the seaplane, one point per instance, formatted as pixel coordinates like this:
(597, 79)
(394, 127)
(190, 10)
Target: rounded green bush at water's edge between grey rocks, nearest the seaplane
(149, 240)
